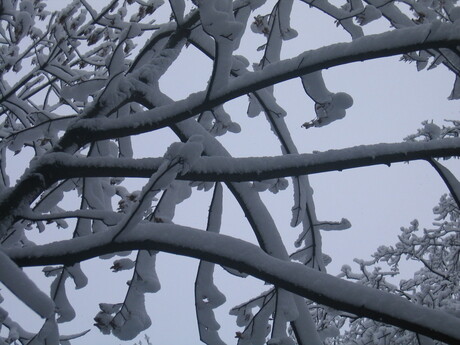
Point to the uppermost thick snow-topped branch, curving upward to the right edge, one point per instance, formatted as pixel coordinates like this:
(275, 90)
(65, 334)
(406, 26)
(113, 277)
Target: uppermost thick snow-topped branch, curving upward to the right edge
(390, 43)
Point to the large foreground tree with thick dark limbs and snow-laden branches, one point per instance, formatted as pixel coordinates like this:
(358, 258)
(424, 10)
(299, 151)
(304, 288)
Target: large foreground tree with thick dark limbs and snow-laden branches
(80, 85)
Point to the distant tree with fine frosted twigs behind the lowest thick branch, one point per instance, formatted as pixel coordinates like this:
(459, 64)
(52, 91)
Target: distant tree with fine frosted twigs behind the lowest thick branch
(435, 283)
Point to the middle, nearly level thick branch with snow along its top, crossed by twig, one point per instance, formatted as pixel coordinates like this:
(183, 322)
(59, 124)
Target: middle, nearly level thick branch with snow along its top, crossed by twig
(228, 169)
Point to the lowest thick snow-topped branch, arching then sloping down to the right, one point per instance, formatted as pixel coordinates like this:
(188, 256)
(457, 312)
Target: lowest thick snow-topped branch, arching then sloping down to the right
(246, 257)
